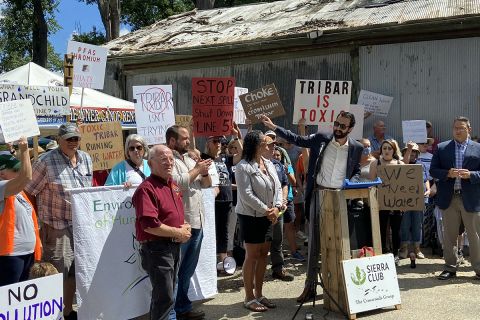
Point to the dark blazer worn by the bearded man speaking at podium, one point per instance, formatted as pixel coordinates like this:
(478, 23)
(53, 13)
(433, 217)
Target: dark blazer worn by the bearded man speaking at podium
(317, 144)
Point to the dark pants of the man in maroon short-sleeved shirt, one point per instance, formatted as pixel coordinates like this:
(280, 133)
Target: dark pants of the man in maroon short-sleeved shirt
(161, 260)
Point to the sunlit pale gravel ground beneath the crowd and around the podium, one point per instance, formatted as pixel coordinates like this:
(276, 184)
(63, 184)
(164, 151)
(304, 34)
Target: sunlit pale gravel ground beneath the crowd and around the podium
(423, 296)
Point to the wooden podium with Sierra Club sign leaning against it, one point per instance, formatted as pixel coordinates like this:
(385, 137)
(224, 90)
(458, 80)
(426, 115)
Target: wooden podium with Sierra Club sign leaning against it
(335, 240)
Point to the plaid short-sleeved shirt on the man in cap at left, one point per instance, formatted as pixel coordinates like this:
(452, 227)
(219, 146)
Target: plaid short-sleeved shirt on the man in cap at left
(52, 175)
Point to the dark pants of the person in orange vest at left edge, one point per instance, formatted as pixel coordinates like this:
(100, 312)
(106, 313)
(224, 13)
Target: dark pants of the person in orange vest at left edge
(15, 269)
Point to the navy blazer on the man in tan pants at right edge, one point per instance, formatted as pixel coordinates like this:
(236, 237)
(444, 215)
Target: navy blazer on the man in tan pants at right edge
(443, 160)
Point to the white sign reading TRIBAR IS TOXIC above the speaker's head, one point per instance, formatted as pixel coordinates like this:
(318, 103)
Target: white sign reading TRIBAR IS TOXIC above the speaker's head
(320, 101)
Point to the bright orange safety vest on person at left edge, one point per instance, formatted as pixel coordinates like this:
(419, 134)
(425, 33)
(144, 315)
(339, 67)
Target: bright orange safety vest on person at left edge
(7, 228)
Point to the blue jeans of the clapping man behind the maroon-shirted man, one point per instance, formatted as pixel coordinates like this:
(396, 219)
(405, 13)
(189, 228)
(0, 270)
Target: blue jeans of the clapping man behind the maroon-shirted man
(190, 251)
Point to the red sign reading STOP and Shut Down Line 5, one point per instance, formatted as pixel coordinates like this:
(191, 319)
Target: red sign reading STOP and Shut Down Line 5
(212, 106)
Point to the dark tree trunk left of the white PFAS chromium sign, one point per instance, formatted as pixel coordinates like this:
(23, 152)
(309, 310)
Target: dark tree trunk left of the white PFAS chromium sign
(39, 35)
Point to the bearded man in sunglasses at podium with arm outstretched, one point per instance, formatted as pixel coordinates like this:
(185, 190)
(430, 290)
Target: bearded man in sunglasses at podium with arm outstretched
(333, 157)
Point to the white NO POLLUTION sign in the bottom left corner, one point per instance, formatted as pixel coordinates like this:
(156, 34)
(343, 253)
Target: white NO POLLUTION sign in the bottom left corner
(40, 298)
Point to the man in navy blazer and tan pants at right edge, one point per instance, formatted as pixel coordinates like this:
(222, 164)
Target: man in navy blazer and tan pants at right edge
(456, 165)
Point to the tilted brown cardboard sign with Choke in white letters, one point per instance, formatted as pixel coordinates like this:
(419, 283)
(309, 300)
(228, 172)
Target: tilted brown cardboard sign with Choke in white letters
(262, 101)
